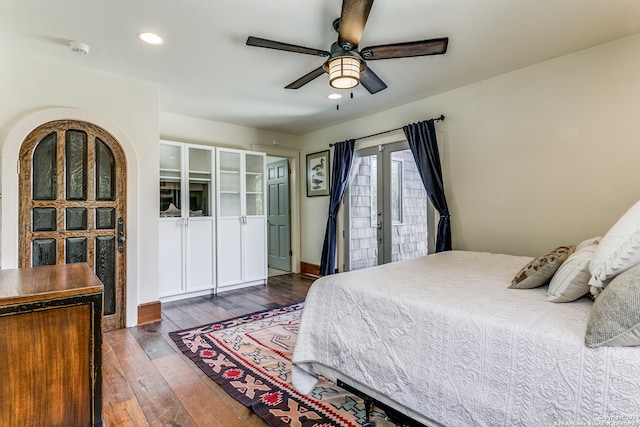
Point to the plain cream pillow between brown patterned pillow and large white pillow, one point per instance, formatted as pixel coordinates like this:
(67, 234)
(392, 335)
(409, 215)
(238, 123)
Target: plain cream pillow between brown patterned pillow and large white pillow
(571, 281)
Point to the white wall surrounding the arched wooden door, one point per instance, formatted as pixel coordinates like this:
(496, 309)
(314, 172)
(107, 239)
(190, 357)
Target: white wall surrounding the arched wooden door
(35, 90)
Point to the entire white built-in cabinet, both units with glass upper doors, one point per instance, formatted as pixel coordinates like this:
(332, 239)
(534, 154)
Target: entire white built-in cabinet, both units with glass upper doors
(213, 223)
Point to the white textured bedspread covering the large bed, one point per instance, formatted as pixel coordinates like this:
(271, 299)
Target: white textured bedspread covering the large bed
(443, 336)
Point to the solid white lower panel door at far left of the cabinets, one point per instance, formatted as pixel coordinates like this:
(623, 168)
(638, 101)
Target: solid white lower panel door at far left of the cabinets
(171, 257)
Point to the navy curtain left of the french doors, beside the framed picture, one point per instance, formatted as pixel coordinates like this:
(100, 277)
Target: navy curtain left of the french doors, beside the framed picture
(342, 161)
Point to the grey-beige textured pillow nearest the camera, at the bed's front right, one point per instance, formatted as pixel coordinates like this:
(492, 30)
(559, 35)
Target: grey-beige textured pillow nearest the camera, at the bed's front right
(615, 316)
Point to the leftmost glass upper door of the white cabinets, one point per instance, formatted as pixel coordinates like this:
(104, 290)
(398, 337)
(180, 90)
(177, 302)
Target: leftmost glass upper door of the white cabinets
(170, 180)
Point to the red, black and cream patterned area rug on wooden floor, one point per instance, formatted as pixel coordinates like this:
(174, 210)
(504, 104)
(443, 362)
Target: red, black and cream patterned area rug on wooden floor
(250, 357)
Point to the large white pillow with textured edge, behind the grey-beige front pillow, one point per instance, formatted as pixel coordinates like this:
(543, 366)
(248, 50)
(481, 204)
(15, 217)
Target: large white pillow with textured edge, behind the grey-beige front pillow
(618, 251)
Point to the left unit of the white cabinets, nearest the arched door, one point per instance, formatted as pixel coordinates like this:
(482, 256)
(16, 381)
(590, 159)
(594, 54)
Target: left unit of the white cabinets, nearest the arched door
(187, 221)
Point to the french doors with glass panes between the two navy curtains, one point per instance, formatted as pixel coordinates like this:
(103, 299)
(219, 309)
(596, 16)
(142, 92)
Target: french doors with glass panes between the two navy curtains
(388, 216)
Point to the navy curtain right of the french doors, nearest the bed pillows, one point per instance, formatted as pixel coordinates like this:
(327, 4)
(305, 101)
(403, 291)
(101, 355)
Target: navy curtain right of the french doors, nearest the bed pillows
(424, 146)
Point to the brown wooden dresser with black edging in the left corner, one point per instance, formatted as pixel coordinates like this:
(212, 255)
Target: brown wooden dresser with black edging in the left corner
(50, 346)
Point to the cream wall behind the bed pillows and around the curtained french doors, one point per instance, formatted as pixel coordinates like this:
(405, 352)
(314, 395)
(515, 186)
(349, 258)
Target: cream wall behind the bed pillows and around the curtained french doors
(532, 159)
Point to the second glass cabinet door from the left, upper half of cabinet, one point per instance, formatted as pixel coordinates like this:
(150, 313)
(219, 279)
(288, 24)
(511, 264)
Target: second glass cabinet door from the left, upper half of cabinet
(199, 182)
